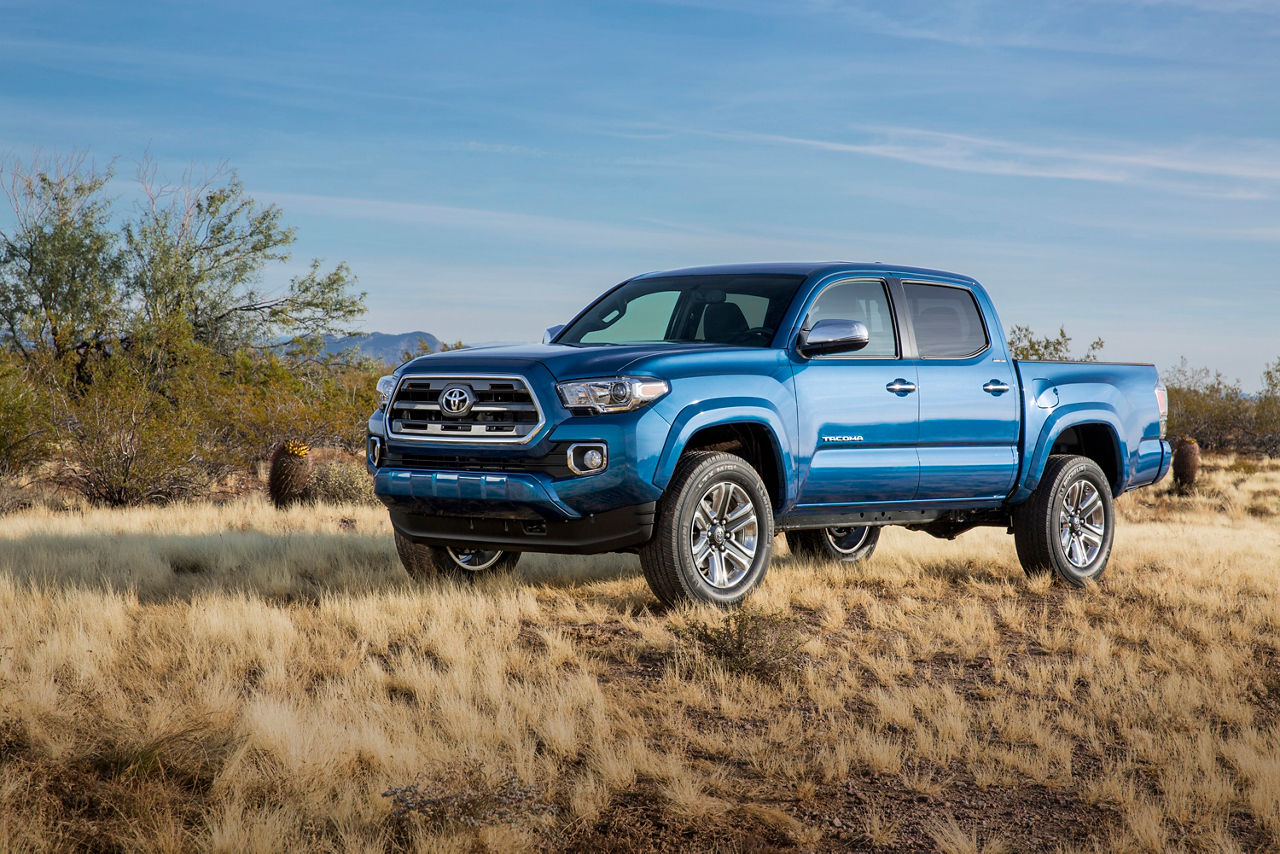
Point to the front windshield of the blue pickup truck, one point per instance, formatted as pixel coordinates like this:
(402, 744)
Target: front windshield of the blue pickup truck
(740, 310)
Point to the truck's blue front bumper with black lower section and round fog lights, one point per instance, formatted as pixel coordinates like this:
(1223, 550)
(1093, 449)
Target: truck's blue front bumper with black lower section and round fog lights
(524, 496)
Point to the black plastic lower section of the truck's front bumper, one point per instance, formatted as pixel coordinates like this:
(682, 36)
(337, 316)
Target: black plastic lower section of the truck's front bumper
(610, 532)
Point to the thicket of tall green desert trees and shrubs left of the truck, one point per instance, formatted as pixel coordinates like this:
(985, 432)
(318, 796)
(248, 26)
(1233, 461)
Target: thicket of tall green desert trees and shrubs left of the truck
(164, 360)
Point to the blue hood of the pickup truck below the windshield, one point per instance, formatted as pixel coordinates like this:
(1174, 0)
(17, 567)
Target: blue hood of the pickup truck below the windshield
(564, 362)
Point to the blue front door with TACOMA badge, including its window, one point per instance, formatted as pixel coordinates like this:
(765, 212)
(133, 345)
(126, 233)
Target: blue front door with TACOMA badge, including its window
(857, 412)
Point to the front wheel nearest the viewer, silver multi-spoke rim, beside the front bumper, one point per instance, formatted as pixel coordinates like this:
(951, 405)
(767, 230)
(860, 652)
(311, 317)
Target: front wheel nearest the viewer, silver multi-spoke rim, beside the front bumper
(714, 533)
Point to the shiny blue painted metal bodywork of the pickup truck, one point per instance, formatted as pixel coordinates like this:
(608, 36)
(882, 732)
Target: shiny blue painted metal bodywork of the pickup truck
(961, 445)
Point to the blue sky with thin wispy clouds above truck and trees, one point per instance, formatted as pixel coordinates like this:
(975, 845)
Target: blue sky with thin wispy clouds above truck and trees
(487, 168)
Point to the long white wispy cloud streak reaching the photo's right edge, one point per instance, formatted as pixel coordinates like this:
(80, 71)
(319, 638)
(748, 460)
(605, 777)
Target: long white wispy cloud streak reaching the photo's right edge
(1232, 175)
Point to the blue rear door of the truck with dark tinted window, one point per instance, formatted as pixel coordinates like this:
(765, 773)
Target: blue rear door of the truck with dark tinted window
(968, 391)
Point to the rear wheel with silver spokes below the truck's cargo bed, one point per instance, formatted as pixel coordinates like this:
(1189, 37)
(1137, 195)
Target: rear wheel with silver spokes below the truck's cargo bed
(1068, 524)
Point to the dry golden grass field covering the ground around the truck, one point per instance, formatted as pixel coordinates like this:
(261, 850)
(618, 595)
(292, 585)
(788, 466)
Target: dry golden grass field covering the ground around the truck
(232, 678)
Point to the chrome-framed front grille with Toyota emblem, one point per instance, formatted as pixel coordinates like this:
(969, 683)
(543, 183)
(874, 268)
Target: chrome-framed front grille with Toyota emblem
(464, 409)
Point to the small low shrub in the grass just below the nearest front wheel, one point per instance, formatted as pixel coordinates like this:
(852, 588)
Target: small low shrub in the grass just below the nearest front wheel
(752, 643)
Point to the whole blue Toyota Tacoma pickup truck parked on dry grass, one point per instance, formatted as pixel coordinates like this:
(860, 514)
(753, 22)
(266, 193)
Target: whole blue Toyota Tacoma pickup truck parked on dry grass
(692, 415)
